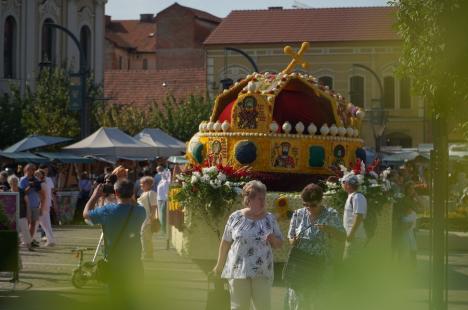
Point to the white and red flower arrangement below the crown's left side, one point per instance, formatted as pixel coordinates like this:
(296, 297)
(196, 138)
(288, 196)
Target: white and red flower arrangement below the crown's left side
(210, 191)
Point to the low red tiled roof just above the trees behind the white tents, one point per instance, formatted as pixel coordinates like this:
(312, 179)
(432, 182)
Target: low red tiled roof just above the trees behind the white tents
(142, 87)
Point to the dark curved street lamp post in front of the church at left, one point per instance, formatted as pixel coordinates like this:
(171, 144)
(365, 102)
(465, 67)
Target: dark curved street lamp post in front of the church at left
(82, 92)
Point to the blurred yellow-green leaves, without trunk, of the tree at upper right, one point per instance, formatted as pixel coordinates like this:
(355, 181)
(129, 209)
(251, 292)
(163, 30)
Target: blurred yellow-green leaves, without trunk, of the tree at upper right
(435, 53)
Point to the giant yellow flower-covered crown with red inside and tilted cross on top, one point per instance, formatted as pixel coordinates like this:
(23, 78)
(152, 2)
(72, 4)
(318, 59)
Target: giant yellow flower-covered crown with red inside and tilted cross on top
(280, 125)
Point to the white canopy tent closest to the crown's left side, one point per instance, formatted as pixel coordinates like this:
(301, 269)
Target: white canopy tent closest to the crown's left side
(165, 144)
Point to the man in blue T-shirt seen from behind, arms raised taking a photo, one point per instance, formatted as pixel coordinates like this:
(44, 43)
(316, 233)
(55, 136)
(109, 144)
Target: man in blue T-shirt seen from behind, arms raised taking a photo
(121, 224)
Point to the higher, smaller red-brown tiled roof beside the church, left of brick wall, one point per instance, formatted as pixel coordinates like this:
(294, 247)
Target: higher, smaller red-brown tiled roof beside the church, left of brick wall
(132, 34)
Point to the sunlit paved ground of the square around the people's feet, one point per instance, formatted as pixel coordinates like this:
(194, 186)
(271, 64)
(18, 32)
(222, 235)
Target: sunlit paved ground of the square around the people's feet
(172, 282)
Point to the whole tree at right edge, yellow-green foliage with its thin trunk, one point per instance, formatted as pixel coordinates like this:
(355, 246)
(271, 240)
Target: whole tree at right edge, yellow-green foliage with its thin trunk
(434, 55)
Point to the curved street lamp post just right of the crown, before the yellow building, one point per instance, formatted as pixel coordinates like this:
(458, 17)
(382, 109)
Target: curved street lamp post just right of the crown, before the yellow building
(378, 117)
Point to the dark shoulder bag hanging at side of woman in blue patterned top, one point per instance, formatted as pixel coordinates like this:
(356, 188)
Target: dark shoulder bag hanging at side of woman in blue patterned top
(302, 269)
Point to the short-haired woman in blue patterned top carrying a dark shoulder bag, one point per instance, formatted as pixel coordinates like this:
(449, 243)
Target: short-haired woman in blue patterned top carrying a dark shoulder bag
(311, 230)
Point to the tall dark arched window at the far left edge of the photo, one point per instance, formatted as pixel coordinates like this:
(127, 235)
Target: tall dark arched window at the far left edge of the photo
(9, 51)
